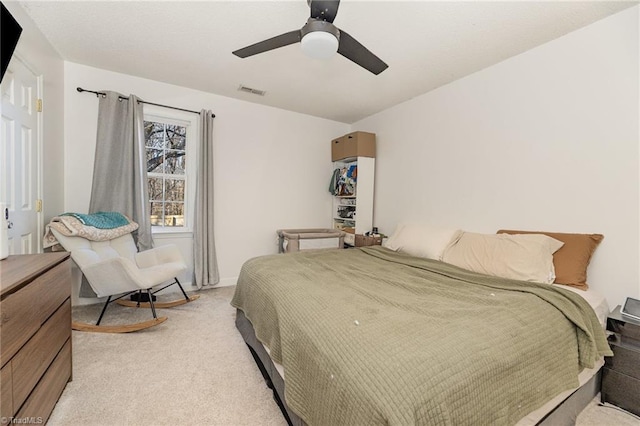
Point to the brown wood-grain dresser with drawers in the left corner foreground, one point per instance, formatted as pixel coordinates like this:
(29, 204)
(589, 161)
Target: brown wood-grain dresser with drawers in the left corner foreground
(35, 330)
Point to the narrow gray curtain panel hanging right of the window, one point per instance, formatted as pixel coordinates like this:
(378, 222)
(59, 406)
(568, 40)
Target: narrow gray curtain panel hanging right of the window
(204, 250)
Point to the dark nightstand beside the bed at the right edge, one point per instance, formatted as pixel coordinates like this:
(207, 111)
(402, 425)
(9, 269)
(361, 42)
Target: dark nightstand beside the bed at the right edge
(621, 373)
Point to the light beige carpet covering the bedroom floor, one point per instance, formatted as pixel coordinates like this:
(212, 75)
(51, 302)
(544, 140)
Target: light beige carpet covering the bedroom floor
(192, 369)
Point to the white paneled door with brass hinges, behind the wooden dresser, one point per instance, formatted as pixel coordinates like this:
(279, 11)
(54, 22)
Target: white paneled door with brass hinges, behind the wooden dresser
(19, 154)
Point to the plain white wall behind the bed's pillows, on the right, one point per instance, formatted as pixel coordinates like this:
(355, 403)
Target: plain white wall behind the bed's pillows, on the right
(547, 140)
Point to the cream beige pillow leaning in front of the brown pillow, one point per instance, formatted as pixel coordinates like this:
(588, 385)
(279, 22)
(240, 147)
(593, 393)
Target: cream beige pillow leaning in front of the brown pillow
(519, 257)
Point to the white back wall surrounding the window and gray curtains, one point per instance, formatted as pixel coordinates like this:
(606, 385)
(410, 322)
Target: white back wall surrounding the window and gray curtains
(272, 167)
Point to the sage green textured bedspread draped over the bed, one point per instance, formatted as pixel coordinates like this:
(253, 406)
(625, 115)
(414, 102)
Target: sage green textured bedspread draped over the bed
(373, 337)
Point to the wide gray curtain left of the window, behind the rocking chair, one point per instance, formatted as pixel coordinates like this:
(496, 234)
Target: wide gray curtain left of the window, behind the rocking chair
(120, 169)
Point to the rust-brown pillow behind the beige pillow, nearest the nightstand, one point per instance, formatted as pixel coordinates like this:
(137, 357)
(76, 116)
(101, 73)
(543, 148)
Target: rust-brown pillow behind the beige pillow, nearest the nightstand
(571, 261)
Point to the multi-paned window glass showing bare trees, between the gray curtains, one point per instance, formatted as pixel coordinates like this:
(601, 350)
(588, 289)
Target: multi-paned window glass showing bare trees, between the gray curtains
(165, 151)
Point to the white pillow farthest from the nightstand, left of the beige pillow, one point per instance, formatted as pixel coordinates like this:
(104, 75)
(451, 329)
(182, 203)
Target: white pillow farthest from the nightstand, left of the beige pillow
(422, 240)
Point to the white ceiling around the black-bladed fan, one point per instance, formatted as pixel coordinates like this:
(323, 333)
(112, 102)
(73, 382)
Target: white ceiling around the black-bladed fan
(425, 43)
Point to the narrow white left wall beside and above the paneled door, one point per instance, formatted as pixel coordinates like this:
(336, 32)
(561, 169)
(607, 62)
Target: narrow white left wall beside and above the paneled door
(34, 49)
